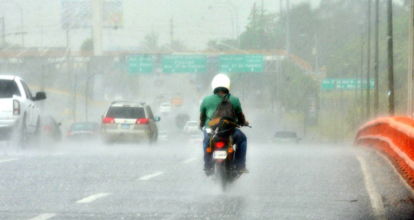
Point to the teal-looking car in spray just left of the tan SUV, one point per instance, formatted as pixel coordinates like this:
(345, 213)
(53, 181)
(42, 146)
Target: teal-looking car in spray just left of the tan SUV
(83, 130)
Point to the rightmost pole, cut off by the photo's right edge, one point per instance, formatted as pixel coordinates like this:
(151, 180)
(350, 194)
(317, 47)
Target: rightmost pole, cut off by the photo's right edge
(411, 63)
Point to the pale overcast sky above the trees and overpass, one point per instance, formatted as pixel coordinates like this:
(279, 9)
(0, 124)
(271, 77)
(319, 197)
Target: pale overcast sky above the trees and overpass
(195, 21)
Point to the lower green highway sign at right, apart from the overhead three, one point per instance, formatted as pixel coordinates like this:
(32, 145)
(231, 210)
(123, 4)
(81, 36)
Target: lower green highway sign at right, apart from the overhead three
(347, 84)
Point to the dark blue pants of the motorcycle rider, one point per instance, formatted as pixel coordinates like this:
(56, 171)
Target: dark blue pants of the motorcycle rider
(239, 138)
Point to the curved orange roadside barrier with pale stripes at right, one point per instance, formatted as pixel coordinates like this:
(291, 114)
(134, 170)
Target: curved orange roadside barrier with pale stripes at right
(393, 136)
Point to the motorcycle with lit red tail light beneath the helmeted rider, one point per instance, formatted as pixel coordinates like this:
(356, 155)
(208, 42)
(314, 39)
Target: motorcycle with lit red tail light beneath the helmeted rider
(223, 155)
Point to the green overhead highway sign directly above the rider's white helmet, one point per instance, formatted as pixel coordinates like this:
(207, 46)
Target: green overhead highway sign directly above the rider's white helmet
(241, 63)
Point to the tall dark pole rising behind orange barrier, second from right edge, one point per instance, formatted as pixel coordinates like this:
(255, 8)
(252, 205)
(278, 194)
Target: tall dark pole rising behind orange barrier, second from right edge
(390, 60)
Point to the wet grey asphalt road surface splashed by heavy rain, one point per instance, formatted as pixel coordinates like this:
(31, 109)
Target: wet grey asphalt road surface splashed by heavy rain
(165, 181)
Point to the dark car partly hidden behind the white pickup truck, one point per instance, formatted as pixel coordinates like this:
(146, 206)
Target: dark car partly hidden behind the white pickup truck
(50, 129)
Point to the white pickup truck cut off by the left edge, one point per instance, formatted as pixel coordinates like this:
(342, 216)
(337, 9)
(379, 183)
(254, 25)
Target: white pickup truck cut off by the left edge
(19, 115)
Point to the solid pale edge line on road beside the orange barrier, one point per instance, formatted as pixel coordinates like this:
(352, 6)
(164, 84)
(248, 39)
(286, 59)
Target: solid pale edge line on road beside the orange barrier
(376, 200)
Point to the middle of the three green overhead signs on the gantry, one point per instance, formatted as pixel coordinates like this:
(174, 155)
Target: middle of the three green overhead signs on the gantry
(184, 63)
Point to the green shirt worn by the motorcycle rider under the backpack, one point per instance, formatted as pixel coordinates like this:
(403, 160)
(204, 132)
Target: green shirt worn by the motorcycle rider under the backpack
(210, 103)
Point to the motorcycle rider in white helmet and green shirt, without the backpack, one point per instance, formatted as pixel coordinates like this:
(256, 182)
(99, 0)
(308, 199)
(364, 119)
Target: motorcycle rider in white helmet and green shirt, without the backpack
(221, 87)
